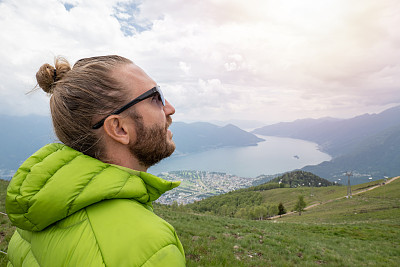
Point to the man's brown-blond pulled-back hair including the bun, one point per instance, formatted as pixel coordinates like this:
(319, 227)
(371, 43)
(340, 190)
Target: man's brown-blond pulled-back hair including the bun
(79, 95)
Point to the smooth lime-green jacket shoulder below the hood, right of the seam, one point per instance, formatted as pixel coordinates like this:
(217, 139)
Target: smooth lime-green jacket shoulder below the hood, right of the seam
(127, 232)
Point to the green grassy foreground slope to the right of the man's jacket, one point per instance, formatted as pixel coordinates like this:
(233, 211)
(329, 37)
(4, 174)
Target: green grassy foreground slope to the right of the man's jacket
(217, 241)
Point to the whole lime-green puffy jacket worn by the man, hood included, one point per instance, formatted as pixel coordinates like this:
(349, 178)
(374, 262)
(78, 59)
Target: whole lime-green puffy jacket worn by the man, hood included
(74, 210)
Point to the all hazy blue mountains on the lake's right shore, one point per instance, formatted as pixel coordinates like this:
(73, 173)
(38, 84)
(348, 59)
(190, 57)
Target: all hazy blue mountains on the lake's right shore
(367, 145)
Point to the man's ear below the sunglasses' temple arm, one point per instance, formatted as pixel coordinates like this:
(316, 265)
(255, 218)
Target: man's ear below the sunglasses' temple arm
(117, 128)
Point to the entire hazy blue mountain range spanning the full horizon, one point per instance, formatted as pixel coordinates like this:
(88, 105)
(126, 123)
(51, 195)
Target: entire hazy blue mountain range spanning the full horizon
(367, 145)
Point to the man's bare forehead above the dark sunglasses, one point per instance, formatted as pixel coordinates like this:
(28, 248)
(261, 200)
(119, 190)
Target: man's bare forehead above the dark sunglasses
(133, 79)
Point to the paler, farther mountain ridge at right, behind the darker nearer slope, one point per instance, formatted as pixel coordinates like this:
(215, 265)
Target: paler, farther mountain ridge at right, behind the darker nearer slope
(335, 136)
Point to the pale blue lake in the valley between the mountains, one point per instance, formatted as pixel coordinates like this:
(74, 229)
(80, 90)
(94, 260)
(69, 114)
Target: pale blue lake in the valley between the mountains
(272, 156)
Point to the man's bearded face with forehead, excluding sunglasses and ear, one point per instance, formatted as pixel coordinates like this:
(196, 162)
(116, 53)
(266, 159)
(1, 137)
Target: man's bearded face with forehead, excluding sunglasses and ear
(153, 140)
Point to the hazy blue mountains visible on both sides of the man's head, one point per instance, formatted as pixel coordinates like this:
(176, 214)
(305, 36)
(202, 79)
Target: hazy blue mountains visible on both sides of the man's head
(20, 137)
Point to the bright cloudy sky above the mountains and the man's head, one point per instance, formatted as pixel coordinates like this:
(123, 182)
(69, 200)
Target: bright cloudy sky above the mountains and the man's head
(216, 60)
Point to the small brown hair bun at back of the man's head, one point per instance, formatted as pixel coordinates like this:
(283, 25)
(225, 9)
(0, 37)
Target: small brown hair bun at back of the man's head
(47, 75)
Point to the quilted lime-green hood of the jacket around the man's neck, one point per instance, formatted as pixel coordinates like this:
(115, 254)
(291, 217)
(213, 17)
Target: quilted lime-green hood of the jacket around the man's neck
(57, 181)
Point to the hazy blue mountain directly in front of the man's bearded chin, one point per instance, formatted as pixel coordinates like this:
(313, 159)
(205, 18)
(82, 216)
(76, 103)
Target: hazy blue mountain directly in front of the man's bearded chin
(201, 136)
